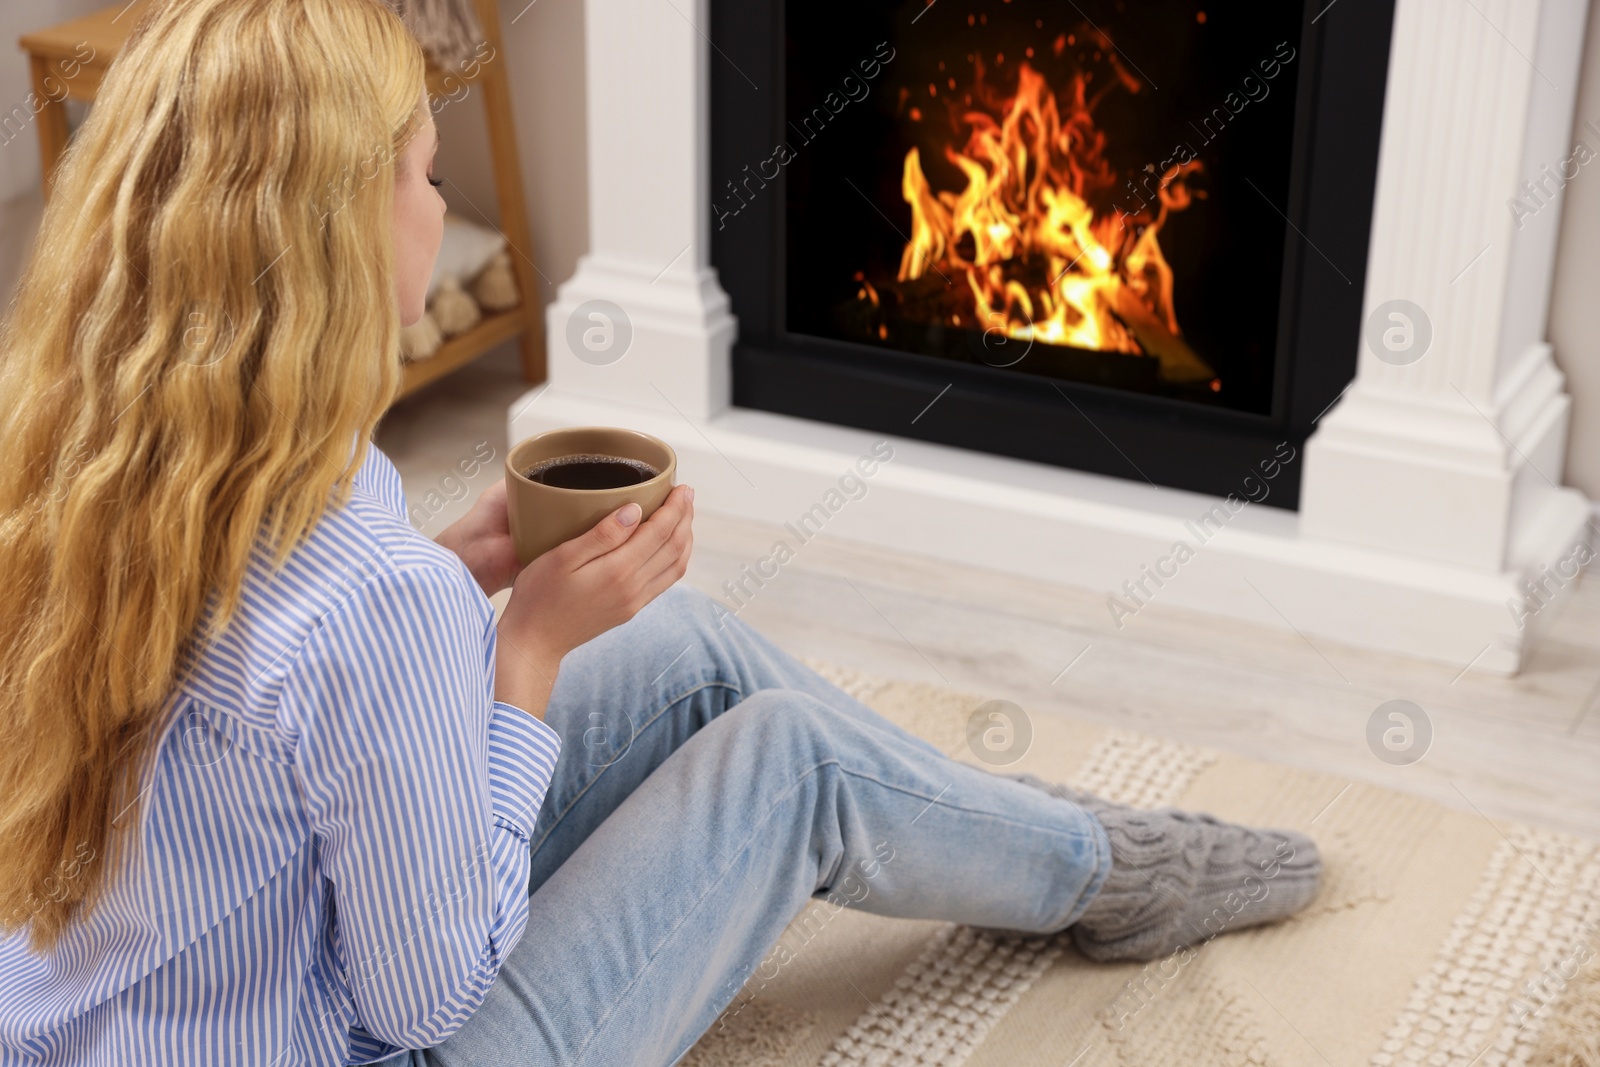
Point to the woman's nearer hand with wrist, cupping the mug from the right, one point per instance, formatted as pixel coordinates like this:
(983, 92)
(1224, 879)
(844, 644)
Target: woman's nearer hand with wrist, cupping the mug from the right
(583, 588)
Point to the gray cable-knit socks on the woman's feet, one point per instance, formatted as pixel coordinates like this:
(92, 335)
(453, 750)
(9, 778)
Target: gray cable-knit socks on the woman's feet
(1180, 879)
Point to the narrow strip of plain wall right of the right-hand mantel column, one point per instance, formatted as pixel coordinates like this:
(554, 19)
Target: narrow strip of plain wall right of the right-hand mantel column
(1575, 300)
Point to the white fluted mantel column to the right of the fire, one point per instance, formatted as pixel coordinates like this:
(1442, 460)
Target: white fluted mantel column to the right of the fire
(1449, 446)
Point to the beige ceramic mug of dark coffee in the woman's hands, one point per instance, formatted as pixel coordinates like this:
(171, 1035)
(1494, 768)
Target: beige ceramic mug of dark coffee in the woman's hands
(545, 516)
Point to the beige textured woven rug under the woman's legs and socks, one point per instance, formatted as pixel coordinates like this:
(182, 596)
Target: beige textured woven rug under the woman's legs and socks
(1439, 938)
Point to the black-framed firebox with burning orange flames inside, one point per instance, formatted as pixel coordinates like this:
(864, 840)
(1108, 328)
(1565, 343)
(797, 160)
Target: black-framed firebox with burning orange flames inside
(1126, 239)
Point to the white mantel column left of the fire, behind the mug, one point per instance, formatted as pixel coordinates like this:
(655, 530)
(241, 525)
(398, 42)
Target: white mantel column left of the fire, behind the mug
(644, 319)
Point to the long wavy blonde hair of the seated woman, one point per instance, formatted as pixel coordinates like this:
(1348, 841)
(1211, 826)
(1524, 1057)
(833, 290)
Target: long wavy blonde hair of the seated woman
(198, 354)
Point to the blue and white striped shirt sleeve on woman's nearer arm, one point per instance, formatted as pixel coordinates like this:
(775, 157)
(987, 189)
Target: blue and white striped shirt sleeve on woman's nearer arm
(423, 793)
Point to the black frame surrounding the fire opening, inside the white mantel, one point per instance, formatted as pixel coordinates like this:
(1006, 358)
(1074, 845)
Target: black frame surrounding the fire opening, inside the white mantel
(1073, 425)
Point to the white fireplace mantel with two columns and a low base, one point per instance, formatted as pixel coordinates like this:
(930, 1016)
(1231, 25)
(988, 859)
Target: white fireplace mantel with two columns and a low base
(1431, 492)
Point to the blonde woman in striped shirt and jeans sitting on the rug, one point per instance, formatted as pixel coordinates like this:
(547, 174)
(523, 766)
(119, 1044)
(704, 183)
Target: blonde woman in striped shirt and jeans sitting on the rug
(274, 786)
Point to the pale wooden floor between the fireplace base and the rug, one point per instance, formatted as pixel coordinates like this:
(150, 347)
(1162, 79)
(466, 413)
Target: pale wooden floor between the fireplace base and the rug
(1524, 748)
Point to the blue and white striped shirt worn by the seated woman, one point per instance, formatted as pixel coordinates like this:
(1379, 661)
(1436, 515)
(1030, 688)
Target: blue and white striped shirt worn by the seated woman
(334, 834)
